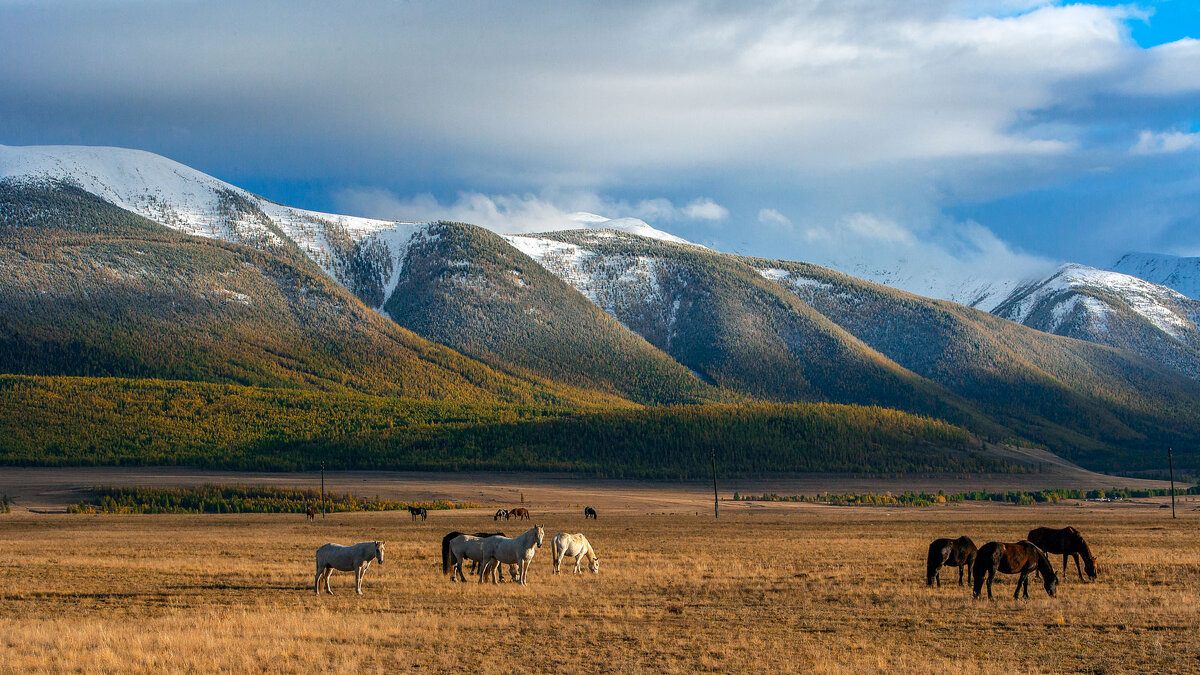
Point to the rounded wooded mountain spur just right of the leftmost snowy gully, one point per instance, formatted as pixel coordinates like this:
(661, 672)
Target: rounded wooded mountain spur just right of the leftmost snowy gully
(466, 288)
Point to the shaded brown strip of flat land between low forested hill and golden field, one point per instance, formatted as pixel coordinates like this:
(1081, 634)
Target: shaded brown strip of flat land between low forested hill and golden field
(51, 489)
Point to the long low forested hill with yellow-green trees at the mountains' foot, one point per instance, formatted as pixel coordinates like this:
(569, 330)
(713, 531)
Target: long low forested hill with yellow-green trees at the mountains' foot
(63, 421)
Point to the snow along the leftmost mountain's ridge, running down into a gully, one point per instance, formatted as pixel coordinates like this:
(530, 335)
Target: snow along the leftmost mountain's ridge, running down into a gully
(364, 255)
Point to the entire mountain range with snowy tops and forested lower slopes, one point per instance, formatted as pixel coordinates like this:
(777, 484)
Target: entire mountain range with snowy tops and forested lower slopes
(122, 271)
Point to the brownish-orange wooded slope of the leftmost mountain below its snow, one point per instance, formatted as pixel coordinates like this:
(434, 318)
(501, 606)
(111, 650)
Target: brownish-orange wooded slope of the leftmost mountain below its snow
(91, 290)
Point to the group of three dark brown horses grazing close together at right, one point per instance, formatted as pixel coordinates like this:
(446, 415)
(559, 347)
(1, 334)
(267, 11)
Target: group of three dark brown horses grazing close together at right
(1024, 558)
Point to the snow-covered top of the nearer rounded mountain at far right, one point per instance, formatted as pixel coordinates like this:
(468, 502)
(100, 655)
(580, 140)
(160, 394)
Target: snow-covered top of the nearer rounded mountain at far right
(1076, 289)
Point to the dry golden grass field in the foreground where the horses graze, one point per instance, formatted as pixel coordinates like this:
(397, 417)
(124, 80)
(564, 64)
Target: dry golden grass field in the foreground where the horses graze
(783, 588)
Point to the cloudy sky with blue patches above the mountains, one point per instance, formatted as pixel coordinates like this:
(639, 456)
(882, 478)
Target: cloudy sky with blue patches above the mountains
(964, 138)
